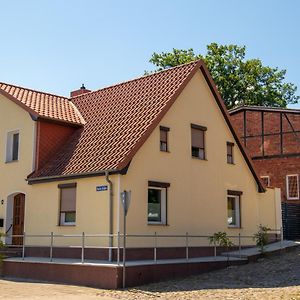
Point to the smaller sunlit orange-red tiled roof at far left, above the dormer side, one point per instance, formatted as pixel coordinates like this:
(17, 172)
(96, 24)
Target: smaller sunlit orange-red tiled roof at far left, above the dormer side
(43, 105)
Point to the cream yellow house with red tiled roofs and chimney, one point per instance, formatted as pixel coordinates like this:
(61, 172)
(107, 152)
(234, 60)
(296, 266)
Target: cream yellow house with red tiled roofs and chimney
(166, 137)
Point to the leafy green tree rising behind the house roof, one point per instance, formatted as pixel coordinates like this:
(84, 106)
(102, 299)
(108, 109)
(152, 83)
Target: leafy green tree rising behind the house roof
(240, 81)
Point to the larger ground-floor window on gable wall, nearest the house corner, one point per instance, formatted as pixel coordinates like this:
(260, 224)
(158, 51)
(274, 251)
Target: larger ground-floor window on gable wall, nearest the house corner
(157, 202)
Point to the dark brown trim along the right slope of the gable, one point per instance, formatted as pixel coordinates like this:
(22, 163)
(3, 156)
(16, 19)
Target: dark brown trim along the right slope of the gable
(225, 113)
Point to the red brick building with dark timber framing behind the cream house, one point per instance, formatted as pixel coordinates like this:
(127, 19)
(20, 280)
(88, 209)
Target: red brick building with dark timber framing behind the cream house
(272, 137)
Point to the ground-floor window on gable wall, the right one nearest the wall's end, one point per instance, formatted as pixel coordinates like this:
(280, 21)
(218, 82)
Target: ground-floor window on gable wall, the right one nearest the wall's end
(233, 209)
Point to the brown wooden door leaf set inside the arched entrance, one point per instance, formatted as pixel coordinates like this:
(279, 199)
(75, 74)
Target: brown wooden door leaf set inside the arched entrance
(18, 218)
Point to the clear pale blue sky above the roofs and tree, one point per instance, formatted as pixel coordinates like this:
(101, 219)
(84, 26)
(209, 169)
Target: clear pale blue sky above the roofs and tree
(55, 45)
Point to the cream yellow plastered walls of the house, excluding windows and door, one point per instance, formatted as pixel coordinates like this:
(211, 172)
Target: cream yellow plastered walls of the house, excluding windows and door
(196, 198)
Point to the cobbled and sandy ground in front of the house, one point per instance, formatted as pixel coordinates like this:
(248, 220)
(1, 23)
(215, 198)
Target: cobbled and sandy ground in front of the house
(270, 278)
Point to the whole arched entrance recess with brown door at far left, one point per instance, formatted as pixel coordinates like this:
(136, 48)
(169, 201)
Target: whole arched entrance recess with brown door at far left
(15, 217)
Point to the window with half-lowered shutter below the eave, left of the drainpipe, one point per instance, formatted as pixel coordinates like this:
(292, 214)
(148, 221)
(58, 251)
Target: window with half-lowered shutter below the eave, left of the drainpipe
(67, 215)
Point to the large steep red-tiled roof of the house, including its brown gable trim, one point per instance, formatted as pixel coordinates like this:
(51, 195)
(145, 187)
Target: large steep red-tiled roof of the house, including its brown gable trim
(119, 119)
